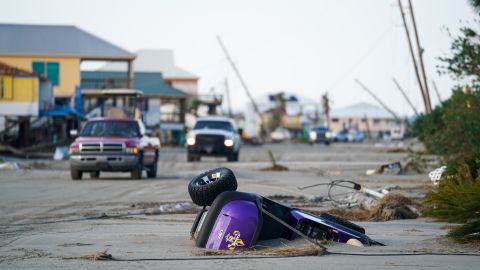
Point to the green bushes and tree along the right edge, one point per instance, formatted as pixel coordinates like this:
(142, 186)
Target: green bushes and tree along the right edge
(452, 131)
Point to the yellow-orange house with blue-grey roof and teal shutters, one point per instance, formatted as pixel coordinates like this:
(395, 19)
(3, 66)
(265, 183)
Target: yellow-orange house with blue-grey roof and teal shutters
(56, 52)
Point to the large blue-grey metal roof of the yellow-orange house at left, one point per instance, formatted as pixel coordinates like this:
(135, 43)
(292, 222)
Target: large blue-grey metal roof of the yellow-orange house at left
(57, 40)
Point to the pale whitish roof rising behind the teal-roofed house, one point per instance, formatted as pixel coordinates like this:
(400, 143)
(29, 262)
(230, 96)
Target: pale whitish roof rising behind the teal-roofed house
(154, 61)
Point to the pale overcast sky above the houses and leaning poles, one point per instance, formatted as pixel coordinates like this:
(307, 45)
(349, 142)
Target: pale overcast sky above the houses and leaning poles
(298, 46)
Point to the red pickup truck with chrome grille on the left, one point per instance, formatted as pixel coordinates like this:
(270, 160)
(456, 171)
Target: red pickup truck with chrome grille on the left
(115, 145)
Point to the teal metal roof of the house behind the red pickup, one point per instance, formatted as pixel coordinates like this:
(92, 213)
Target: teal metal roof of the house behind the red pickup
(150, 83)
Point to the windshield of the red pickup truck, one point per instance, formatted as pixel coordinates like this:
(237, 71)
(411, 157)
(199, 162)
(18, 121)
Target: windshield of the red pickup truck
(110, 128)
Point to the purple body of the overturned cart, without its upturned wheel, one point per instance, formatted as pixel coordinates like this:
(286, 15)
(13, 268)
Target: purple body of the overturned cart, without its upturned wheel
(236, 220)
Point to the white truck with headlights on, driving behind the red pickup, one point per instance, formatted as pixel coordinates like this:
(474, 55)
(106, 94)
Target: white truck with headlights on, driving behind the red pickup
(213, 136)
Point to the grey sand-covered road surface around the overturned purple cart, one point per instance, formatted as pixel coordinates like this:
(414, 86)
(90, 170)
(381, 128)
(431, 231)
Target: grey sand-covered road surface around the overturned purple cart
(45, 221)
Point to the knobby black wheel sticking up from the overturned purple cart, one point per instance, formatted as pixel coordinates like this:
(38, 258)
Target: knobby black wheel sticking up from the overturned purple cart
(204, 188)
